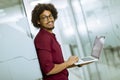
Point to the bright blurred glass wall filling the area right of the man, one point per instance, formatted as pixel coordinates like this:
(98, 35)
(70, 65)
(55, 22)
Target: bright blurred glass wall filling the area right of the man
(80, 22)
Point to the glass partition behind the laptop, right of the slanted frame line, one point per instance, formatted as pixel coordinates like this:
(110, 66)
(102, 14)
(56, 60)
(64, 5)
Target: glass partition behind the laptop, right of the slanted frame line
(99, 17)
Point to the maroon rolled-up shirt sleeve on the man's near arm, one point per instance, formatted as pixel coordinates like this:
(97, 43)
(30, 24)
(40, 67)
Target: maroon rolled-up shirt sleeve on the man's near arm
(43, 46)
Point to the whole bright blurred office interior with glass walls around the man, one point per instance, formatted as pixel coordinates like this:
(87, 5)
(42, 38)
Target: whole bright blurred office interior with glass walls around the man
(78, 23)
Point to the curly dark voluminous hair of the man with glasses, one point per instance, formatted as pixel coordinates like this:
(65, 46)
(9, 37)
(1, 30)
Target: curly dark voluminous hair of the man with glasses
(38, 9)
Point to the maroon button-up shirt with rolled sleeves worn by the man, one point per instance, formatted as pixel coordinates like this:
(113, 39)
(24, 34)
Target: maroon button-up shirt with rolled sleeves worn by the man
(49, 53)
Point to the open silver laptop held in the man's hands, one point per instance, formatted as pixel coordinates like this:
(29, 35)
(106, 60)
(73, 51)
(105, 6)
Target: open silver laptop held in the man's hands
(96, 51)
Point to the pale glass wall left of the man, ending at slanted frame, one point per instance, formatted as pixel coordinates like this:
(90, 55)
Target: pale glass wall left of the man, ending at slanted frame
(18, 60)
